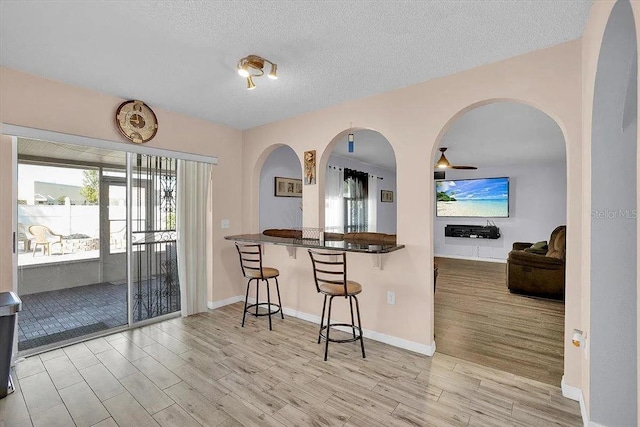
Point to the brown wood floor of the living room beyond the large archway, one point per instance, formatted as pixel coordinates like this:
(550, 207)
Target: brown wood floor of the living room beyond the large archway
(477, 319)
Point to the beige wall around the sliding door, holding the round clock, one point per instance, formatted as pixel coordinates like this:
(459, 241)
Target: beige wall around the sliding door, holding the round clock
(35, 102)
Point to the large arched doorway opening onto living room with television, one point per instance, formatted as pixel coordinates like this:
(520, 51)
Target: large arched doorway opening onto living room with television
(492, 306)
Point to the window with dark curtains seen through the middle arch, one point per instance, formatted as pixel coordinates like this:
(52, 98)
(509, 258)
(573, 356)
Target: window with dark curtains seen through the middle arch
(356, 195)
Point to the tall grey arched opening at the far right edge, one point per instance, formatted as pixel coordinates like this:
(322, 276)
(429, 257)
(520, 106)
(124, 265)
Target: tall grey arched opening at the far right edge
(613, 310)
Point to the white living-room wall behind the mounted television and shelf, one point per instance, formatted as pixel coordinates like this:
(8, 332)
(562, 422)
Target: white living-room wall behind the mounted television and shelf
(537, 205)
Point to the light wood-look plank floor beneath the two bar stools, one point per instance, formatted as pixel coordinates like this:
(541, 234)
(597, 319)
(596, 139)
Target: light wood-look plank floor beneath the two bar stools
(206, 370)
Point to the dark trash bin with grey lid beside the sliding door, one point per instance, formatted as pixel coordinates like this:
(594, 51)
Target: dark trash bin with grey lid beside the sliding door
(10, 305)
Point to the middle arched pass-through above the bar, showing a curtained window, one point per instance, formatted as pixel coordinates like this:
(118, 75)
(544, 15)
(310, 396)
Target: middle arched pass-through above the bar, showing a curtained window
(360, 185)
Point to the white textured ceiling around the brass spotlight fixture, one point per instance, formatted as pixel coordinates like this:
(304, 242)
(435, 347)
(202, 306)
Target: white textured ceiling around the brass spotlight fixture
(181, 55)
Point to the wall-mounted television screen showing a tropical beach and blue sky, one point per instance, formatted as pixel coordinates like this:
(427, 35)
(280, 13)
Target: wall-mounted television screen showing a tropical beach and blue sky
(482, 197)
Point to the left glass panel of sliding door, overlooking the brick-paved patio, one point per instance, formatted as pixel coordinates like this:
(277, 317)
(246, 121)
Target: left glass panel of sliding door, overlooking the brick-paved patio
(70, 283)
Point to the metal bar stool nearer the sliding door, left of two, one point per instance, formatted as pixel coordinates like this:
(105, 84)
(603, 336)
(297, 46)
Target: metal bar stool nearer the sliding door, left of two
(252, 269)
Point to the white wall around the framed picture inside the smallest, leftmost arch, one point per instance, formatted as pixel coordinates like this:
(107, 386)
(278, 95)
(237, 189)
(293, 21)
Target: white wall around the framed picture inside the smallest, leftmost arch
(279, 212)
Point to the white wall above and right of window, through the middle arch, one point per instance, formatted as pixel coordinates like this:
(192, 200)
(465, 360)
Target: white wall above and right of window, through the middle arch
(387, 215)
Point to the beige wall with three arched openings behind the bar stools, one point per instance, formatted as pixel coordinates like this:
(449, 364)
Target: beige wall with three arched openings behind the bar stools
(413, 119)
